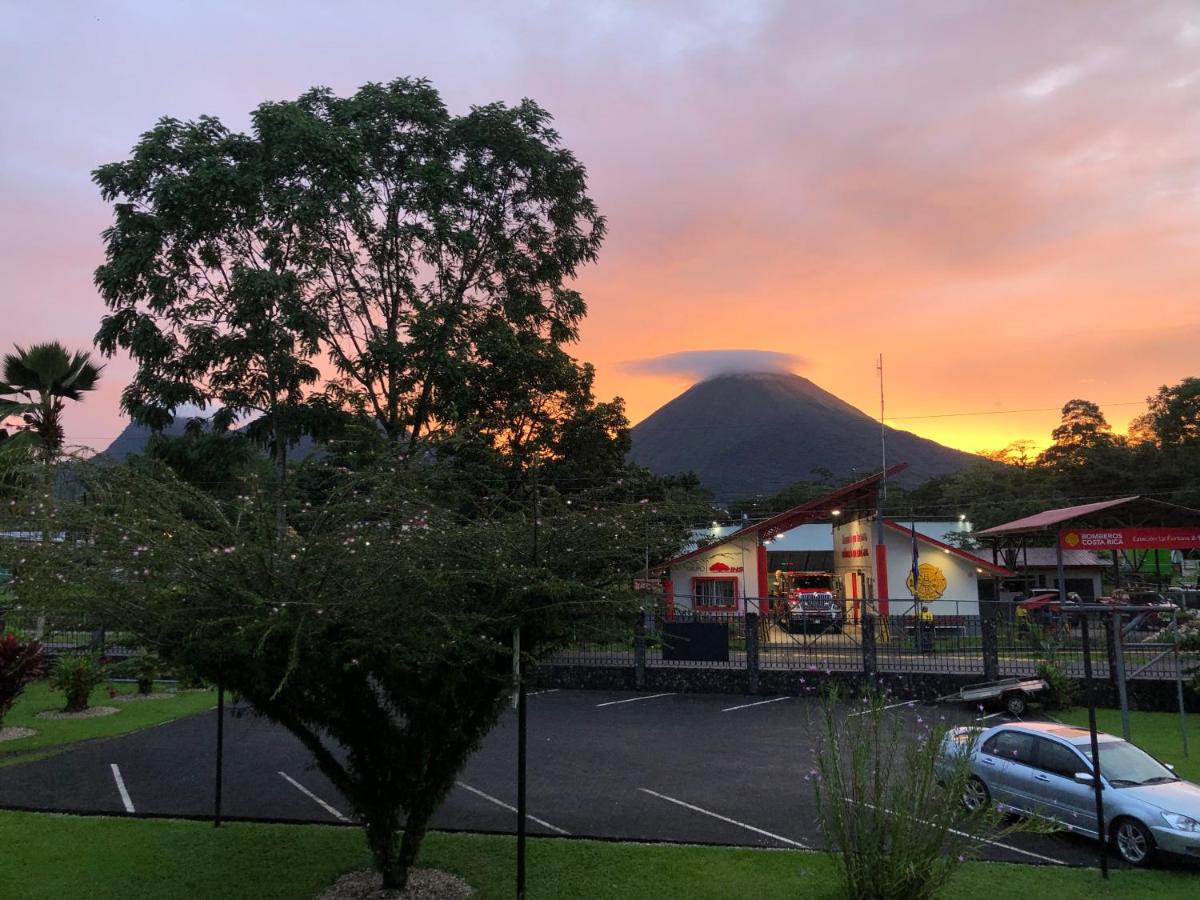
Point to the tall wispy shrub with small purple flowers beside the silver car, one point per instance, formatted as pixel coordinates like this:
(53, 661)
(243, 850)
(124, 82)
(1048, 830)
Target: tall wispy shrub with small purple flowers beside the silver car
(890, 805)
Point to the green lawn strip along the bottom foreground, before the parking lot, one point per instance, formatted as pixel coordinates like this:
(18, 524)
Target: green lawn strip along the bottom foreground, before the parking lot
(56, 856)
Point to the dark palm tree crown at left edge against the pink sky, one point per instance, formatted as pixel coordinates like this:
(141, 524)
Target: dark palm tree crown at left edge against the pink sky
(37, 382)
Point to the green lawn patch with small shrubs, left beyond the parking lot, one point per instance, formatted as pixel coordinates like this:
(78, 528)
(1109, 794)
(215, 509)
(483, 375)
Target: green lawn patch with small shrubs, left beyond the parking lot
(57, 733)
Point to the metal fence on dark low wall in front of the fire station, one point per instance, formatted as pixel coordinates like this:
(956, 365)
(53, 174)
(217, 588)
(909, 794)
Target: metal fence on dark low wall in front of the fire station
(991, 640)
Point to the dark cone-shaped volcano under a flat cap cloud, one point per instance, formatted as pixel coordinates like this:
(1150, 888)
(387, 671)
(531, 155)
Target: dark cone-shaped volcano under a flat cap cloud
(755, 434)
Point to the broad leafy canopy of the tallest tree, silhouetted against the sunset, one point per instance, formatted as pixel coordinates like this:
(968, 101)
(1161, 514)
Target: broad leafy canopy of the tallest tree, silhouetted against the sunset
(410, 266)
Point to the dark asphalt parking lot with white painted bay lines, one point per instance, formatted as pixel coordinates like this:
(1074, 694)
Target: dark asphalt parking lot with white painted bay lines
(661, 767)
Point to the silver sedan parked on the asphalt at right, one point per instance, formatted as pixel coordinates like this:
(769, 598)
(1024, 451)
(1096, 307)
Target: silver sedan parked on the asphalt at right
(1046, 770)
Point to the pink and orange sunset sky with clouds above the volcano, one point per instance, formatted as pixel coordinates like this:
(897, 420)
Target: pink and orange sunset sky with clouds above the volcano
(1003, 199)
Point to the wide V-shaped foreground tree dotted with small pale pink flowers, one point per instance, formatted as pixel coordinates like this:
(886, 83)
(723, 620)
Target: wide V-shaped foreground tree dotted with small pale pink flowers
(377, 629)
